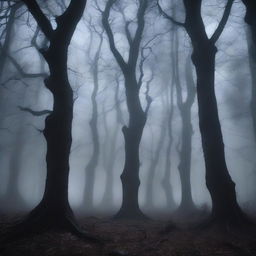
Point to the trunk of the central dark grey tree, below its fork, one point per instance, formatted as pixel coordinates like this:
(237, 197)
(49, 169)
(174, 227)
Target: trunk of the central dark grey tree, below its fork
(132, 137)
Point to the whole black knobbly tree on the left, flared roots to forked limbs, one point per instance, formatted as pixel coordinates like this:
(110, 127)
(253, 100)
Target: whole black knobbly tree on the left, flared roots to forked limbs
(54, 210)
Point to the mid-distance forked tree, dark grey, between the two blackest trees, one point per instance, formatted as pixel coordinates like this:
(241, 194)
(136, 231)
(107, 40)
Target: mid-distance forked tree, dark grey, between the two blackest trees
(137, 116)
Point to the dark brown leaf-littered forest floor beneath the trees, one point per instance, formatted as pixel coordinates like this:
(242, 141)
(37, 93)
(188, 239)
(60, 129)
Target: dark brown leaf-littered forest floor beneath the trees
(130, 238)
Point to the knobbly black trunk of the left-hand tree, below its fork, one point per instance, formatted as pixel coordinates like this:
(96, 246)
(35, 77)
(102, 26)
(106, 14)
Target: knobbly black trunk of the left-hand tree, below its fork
(57, 133)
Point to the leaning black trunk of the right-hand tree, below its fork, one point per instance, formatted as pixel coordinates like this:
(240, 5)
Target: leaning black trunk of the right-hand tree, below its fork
(219, 183)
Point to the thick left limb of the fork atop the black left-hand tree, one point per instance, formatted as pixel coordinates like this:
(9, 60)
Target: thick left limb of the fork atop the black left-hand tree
(40, 18)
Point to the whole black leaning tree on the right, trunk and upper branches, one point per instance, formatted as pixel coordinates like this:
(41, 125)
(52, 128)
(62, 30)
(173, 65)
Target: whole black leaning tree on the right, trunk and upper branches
(225, 209)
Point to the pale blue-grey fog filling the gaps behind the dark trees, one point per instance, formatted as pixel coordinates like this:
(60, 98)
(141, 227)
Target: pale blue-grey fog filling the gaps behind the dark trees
(25, 103)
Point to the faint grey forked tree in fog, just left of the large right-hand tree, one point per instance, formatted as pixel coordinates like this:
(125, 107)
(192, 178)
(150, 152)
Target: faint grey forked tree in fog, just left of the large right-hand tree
(187, 205)
